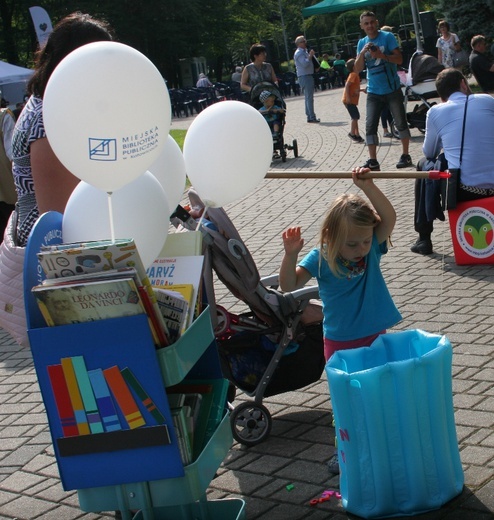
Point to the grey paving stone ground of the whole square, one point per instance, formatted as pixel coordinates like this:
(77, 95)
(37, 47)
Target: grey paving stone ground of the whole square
(432, 293)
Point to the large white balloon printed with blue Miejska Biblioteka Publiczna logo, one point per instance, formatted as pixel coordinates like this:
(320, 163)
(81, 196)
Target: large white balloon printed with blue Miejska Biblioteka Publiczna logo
(107, 114)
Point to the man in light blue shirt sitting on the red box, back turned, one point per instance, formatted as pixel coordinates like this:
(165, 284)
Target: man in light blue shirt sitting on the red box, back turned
(443, 131)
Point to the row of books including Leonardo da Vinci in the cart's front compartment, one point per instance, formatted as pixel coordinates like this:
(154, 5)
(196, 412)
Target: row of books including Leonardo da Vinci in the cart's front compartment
(97, 280)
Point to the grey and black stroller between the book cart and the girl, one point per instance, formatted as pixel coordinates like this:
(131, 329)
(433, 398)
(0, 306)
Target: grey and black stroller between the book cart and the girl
(275, 346)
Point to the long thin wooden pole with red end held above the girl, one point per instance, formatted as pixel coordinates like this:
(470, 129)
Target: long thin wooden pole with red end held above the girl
(294, 174)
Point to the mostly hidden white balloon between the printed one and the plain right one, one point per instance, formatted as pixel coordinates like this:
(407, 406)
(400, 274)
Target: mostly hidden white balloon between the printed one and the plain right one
(169, 169)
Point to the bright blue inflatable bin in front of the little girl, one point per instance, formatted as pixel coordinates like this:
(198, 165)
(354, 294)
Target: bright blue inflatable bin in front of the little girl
(394, 417)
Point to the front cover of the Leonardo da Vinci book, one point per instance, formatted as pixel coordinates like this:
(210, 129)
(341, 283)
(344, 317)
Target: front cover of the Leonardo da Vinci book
(92, 301)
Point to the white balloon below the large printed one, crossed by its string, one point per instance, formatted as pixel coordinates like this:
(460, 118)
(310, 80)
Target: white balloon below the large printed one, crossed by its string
(140, 211)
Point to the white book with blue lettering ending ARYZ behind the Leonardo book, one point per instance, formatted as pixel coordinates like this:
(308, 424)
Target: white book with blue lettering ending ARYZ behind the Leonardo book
(177, 271)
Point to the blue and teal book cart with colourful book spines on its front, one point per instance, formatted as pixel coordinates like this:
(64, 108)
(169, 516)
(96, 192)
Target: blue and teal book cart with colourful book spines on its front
(112, 464)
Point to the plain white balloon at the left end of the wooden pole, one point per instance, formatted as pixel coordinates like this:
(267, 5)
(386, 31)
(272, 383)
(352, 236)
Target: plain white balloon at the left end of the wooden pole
(228, 149)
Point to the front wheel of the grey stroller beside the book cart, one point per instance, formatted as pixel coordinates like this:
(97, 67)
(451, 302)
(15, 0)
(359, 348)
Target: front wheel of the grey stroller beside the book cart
(251, 423)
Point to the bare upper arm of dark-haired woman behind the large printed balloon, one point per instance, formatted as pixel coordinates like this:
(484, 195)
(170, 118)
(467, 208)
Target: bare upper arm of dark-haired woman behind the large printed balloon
(53, 183)
